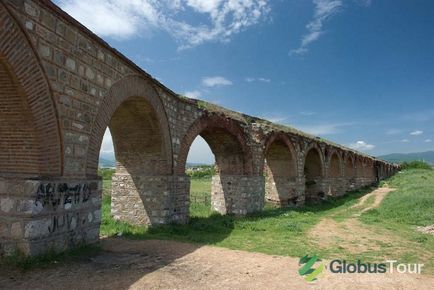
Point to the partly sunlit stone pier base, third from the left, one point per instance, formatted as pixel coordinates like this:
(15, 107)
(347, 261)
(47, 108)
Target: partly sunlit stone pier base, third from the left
(237, 194)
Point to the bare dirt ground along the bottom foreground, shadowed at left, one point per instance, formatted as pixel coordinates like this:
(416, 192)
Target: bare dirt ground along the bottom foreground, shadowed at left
(172, 265)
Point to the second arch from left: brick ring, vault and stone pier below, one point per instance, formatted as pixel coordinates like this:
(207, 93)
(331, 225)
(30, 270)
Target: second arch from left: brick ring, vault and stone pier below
(143, 182)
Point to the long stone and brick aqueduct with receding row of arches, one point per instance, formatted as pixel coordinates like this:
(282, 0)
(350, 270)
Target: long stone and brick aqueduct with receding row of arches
(60, 88)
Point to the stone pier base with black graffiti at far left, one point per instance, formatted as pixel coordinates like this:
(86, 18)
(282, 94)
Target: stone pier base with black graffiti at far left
(38, 216)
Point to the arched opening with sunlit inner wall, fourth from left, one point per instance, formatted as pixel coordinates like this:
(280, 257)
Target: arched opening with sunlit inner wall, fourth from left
(280, 170)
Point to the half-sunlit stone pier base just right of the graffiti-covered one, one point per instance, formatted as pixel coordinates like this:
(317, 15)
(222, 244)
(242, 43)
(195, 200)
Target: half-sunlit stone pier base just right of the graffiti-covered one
(150, 200)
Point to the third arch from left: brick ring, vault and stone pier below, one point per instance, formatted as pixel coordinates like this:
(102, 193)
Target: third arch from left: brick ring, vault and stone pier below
(234, 188)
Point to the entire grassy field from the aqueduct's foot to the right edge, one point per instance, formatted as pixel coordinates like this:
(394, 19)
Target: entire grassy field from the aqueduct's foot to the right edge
(288, 231)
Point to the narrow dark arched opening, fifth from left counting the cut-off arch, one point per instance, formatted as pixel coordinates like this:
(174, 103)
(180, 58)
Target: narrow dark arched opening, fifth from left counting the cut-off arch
(314, 174)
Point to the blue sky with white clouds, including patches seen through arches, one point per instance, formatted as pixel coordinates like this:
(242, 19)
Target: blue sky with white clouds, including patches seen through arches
(357, 72)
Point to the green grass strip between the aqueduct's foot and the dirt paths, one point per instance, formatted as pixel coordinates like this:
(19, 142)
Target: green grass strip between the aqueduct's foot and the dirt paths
(272, 231)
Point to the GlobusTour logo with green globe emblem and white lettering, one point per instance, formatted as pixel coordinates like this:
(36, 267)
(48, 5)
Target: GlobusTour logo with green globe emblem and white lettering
(312, 267)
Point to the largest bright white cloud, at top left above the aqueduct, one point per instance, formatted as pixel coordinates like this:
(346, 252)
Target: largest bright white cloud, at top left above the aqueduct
(129, 18)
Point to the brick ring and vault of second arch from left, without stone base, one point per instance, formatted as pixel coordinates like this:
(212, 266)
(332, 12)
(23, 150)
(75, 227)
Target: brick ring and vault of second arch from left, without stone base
(136, 97)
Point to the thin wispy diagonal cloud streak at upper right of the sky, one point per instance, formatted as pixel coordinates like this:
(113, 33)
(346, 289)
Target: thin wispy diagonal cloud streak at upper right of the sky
(324, 9)
